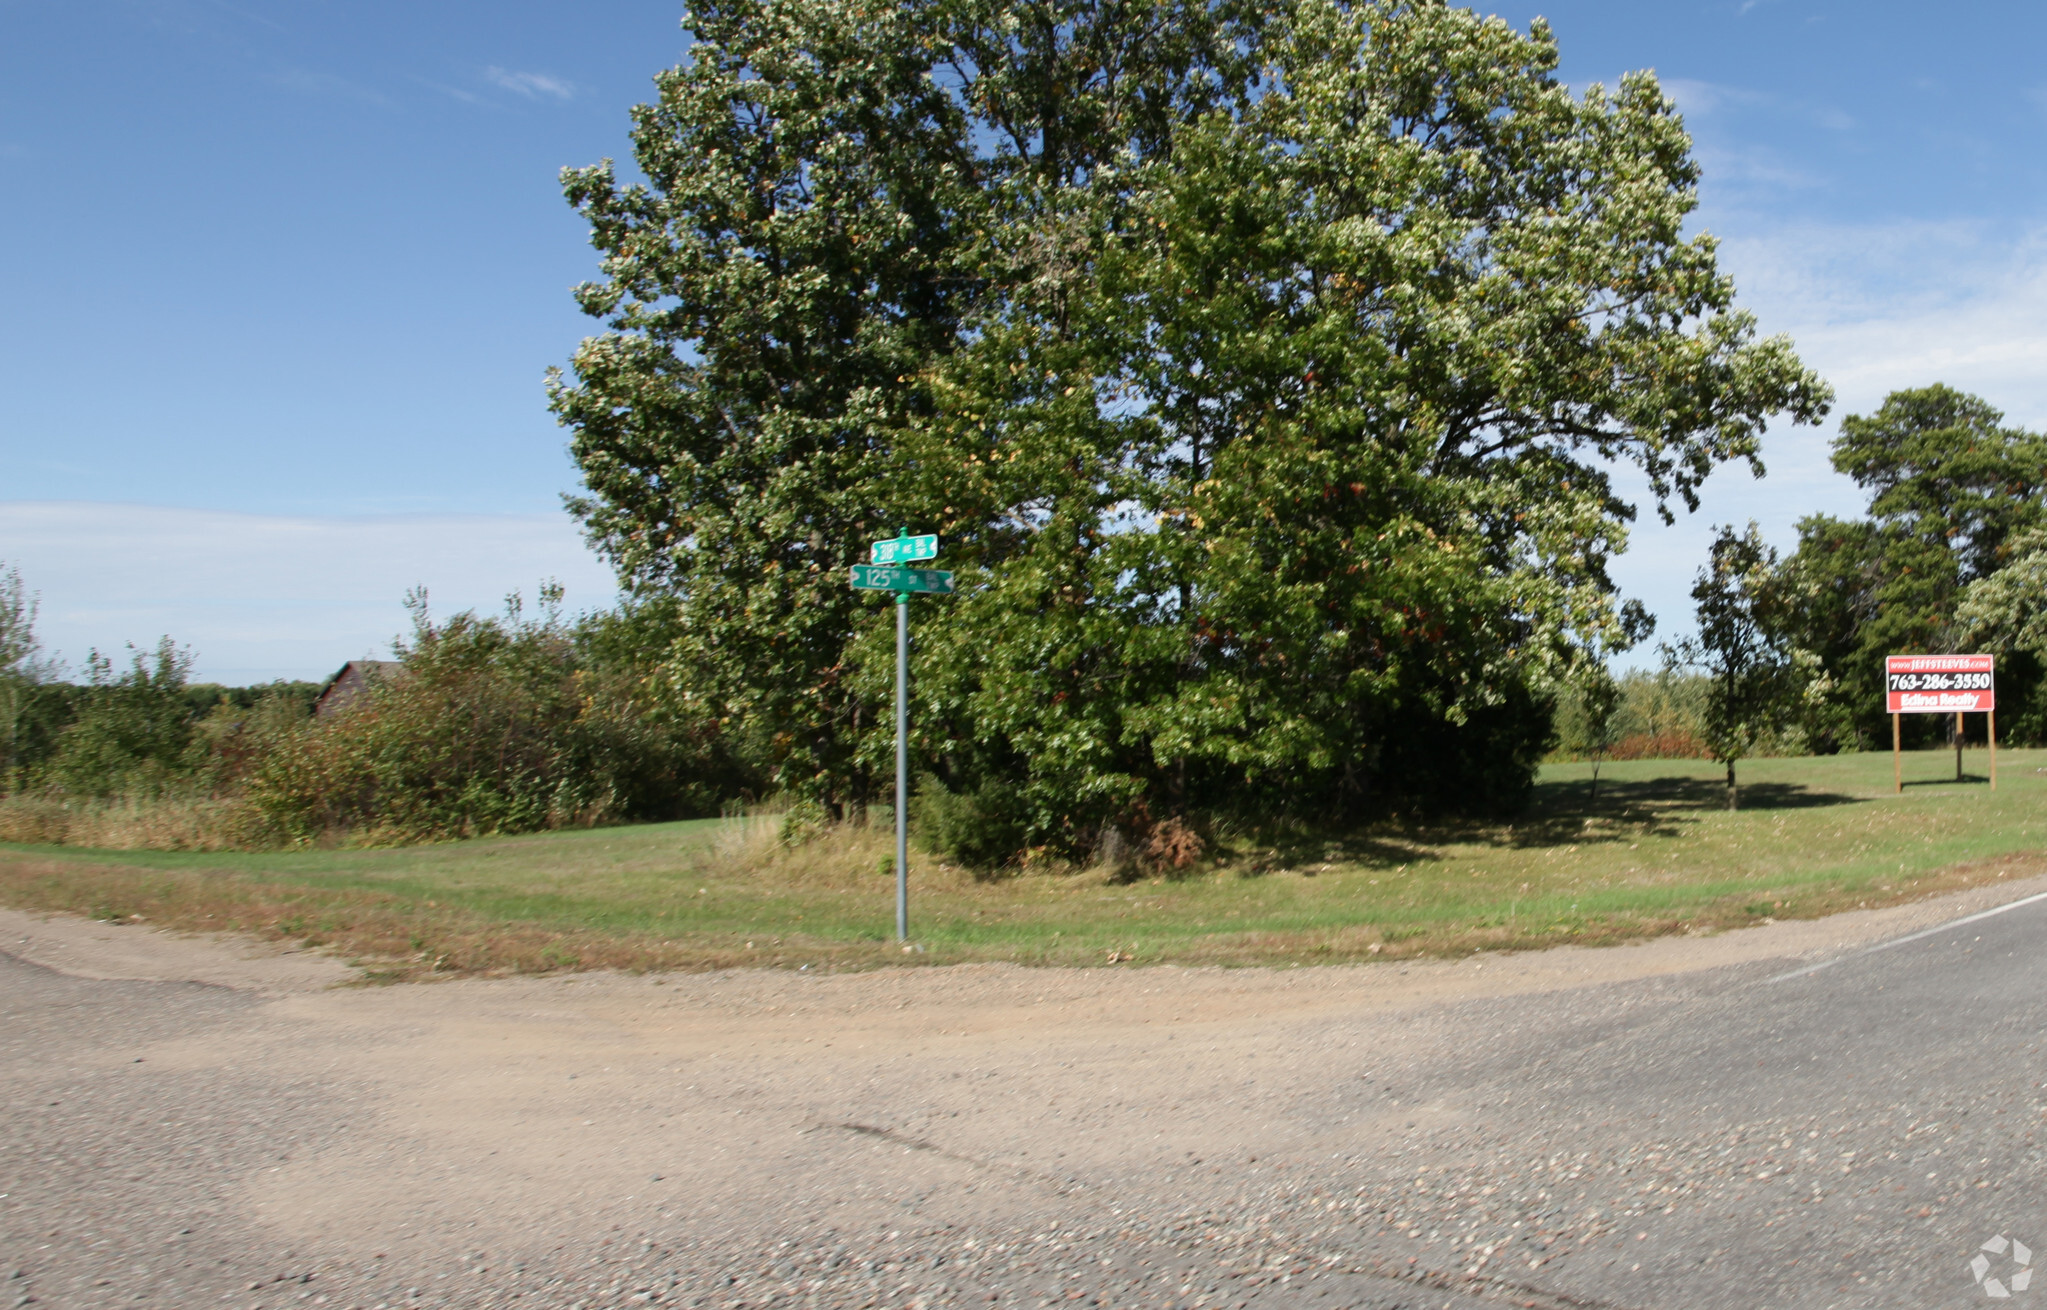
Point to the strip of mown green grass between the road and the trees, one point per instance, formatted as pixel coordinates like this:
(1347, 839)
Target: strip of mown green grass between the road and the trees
(1655, 855)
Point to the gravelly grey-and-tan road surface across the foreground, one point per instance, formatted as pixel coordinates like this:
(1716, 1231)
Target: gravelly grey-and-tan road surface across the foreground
(1806, 1115)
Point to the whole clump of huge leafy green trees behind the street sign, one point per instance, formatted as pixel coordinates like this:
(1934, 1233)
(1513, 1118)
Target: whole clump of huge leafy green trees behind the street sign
(1264, 374)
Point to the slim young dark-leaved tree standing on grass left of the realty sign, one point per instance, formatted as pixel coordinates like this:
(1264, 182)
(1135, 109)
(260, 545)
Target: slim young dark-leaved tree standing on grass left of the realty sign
(1741, 648)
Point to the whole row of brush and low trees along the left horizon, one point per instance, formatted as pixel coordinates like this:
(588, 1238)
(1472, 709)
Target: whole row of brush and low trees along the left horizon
(488, 726)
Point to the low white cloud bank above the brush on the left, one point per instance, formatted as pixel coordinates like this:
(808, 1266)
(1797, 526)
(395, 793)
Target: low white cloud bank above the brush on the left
(269, 597)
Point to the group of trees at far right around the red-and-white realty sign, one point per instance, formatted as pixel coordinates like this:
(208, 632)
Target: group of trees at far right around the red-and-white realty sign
(1790, 652)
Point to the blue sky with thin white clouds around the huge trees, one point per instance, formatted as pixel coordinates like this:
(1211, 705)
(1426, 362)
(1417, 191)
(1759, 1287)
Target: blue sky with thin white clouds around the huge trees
(286, 275)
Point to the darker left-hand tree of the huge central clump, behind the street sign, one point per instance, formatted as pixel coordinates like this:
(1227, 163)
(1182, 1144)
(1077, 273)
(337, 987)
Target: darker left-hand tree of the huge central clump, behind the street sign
(824, 210)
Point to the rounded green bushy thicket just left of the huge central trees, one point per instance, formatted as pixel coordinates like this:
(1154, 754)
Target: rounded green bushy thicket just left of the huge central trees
(492, 726)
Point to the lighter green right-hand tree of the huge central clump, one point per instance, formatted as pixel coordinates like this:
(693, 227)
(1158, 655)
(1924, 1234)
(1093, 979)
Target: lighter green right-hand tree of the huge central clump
(1334, 507)
